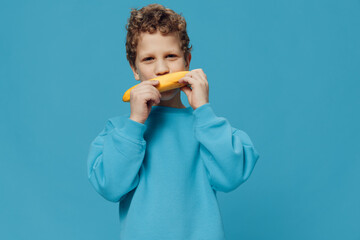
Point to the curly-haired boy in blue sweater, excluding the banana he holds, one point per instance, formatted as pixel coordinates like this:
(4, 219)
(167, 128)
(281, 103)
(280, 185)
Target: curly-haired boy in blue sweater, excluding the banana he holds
(165, 162)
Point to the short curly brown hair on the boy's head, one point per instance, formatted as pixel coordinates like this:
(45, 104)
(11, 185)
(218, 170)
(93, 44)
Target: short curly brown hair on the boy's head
(149, 19)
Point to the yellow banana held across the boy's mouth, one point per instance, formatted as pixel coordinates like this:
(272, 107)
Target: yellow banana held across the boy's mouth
(166, 82)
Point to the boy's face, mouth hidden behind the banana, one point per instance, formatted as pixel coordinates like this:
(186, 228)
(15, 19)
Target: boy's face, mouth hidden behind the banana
(157, 55)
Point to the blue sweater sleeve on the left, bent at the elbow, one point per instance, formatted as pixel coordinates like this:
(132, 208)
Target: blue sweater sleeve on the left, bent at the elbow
(115, 158)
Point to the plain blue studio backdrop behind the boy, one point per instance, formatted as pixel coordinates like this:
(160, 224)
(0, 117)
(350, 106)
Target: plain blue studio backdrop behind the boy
(285, 72)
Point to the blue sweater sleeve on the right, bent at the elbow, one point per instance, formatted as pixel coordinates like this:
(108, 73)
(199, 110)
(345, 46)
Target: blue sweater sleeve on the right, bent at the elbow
(228, 153)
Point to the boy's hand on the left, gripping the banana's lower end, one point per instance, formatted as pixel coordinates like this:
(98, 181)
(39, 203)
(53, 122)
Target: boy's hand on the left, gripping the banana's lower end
(142, 97)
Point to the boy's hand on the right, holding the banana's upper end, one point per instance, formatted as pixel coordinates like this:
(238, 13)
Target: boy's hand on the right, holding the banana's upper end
(198, 92)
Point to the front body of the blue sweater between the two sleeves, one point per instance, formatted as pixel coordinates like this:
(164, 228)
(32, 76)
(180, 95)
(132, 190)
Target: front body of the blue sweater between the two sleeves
(173, 196)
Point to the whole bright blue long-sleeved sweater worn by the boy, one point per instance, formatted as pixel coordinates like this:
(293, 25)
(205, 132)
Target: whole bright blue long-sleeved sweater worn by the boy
(165, 173)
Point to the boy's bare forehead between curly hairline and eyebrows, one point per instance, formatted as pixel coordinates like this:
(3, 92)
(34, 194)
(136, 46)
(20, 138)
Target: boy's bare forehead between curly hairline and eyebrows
(151, 43)
